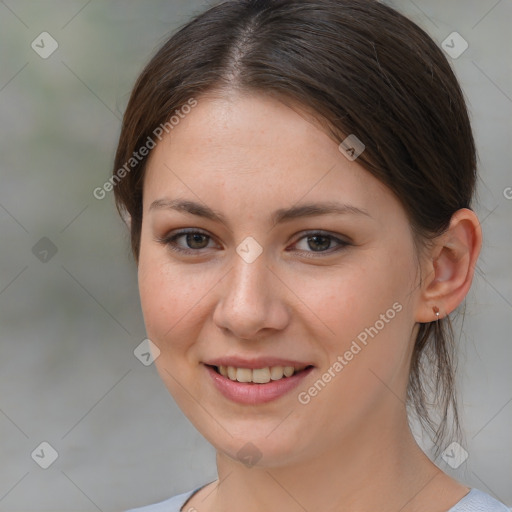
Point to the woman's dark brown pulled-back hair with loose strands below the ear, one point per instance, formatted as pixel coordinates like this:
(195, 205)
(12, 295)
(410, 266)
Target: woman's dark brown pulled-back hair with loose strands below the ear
(361, 68)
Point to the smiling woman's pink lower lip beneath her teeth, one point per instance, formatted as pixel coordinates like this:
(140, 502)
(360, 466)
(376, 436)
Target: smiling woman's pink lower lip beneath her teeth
(250, 393)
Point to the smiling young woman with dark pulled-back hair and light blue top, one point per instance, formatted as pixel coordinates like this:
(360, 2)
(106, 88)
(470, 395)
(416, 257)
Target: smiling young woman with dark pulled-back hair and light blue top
(297, 177)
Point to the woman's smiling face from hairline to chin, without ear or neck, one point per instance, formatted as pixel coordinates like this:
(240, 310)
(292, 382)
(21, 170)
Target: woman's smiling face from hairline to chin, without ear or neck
(297, 255)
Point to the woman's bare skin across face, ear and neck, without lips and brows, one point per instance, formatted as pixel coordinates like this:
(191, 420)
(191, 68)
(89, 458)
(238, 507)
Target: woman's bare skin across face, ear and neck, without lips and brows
(350, 448)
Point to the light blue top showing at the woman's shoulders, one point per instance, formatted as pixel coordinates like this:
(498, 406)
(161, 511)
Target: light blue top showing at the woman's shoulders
(474, 501)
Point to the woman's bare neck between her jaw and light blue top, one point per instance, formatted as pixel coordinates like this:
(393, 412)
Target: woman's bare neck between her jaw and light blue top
(378, 466)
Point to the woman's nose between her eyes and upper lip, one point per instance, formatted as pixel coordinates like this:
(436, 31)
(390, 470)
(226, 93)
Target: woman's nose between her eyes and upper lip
(252, 301)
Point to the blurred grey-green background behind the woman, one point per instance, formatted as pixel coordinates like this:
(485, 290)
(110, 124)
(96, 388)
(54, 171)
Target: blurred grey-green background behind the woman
(69, 325)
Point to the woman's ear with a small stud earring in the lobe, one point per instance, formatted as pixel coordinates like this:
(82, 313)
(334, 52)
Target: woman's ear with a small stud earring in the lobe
(449, 267)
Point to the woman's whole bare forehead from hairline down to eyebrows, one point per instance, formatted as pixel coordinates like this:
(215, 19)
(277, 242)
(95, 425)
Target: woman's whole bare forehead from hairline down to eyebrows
(254, 151)
